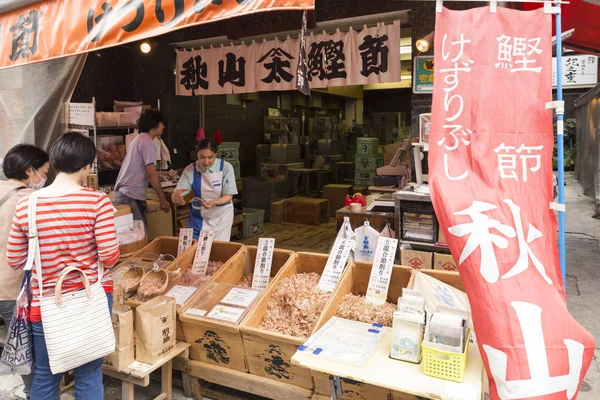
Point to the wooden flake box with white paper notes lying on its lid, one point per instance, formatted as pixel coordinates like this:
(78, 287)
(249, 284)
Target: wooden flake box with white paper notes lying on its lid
(218, 340)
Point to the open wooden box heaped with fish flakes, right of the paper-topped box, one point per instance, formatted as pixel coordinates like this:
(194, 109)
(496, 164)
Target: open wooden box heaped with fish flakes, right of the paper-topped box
(283, 318)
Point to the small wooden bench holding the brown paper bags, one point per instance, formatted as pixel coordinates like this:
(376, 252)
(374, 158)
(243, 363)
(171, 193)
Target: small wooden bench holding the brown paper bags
(131, 377)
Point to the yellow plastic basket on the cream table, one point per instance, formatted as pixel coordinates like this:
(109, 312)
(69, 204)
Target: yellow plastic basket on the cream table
(445, 364)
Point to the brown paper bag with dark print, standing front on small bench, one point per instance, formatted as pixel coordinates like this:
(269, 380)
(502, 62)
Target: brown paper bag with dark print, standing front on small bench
(155, 329)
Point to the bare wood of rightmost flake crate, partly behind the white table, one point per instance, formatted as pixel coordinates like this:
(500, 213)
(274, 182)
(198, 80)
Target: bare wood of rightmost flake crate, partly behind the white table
(356, 281)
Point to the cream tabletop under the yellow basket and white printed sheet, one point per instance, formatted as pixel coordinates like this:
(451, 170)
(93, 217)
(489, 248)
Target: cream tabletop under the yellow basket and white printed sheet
(404, 379)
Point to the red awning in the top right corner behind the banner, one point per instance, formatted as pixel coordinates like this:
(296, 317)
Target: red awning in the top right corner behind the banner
(584, 17)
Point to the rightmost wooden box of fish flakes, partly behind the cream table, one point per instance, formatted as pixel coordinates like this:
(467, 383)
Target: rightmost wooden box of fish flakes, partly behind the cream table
(349, 302)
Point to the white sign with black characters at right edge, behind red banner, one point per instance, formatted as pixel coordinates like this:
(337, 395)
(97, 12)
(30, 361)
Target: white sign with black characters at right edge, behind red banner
(577, 71)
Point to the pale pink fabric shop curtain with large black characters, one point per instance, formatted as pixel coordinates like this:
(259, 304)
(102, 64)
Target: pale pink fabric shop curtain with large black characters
(340, 59)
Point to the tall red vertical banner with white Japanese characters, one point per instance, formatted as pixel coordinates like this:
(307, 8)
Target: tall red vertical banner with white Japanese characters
(491, 184)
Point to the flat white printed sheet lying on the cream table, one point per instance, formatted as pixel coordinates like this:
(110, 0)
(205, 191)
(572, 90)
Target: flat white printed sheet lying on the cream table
(343, 340)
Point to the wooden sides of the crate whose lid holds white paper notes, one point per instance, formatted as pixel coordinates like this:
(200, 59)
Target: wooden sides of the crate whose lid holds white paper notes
(220, 343)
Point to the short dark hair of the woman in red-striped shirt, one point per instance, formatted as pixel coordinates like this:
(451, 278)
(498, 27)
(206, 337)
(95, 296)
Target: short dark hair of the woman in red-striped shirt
(71, 152)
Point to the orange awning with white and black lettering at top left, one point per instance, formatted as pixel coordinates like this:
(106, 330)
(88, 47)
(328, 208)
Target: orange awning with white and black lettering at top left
(49, 29)
